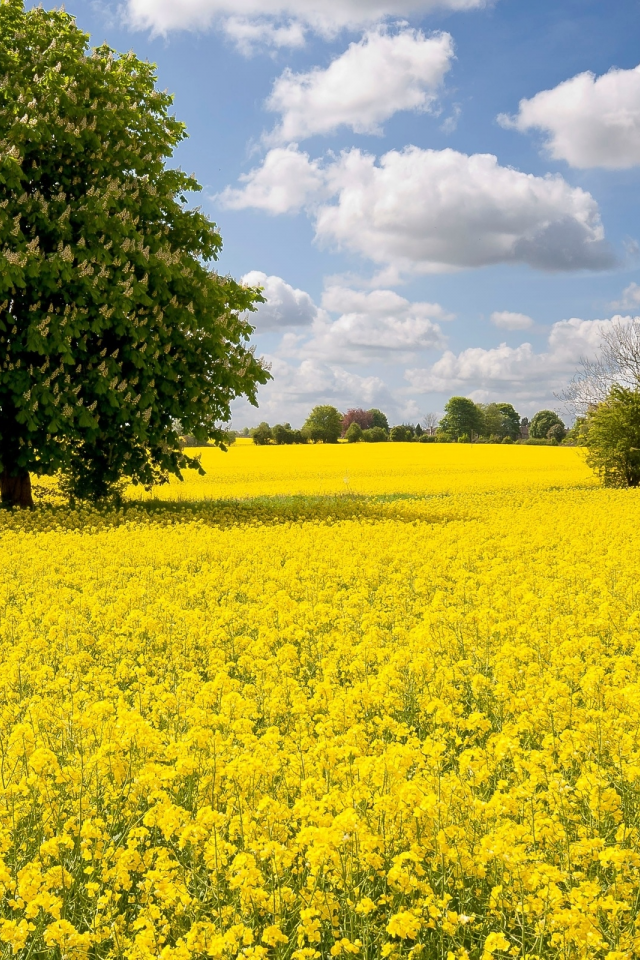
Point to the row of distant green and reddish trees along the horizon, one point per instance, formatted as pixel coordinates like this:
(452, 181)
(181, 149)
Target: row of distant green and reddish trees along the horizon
(463, 422)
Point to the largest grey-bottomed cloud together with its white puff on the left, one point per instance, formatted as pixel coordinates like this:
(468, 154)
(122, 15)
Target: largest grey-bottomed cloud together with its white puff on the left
(430, 211)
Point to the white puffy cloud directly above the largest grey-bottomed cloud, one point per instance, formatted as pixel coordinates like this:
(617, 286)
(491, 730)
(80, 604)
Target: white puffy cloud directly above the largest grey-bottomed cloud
(372, 80)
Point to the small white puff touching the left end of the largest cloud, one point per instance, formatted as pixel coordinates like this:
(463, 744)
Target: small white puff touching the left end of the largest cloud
(287, 181)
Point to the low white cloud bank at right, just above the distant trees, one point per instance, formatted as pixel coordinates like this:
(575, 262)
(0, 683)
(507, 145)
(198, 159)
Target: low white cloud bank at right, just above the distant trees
(514, 371)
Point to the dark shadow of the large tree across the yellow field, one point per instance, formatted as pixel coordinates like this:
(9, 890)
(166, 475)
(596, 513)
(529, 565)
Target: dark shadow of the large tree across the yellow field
(257, 511)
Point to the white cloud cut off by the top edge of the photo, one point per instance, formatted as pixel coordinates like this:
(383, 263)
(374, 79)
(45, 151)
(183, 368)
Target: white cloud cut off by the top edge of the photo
(323, 16)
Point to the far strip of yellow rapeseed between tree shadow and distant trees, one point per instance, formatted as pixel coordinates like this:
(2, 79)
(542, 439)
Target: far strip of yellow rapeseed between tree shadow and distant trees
(384, 468)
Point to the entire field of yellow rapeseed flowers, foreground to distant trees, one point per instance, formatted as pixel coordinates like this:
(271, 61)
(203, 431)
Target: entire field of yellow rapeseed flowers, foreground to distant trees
(286, 720)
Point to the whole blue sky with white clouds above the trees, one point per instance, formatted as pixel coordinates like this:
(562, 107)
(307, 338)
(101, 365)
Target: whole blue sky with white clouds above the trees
(437, 198)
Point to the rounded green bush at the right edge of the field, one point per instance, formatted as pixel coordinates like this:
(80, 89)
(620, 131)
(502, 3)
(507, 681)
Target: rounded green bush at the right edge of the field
(613, 438)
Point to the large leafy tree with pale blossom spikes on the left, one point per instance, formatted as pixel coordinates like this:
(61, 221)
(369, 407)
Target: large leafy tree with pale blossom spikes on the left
(116, 335)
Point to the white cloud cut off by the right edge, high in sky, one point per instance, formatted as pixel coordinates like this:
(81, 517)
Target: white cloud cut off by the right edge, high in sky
(590, 121)
